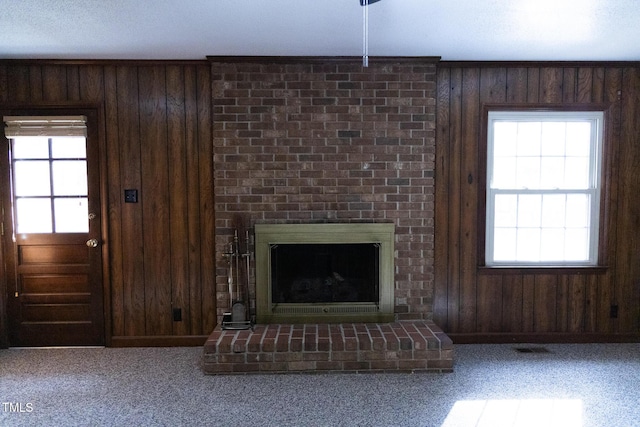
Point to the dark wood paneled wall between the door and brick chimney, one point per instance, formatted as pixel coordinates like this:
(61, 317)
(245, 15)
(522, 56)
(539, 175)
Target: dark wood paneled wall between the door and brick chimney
(156, 136)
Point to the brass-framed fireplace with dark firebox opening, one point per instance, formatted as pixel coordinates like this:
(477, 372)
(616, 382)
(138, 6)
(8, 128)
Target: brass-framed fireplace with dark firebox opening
(324, 273)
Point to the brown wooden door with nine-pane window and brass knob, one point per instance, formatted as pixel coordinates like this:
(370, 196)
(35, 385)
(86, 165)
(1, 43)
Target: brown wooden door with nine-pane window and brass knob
(52, 232)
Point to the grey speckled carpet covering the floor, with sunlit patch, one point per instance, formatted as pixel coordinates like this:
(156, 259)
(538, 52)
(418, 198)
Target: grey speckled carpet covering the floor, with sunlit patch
(492, 385)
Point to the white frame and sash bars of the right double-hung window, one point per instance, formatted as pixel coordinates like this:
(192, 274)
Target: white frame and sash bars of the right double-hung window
(596, 119)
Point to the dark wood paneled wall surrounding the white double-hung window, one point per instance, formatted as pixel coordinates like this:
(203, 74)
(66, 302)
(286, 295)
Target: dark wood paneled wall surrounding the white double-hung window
(475, 306)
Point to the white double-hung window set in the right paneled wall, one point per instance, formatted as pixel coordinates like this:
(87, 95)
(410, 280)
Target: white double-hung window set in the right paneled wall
(543, 188)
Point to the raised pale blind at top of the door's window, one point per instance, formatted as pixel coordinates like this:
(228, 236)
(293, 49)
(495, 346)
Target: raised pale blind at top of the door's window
(16, 126)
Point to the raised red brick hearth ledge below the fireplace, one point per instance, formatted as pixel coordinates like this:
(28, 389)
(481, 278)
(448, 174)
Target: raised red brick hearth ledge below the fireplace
(402, 346)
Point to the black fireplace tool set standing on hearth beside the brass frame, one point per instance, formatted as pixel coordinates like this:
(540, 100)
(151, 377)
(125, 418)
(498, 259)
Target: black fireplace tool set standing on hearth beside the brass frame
(238, 317)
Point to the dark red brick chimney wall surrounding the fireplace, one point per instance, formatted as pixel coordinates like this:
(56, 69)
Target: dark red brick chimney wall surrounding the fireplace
(311, 141)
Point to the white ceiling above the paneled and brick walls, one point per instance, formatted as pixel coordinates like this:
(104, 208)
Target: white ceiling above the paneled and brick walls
(598, 30)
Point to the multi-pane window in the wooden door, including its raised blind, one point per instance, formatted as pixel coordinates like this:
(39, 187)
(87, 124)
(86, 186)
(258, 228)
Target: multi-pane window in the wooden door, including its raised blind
(49, 174)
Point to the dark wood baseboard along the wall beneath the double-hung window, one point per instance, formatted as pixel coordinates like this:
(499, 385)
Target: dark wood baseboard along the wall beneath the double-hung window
(543, 338)
